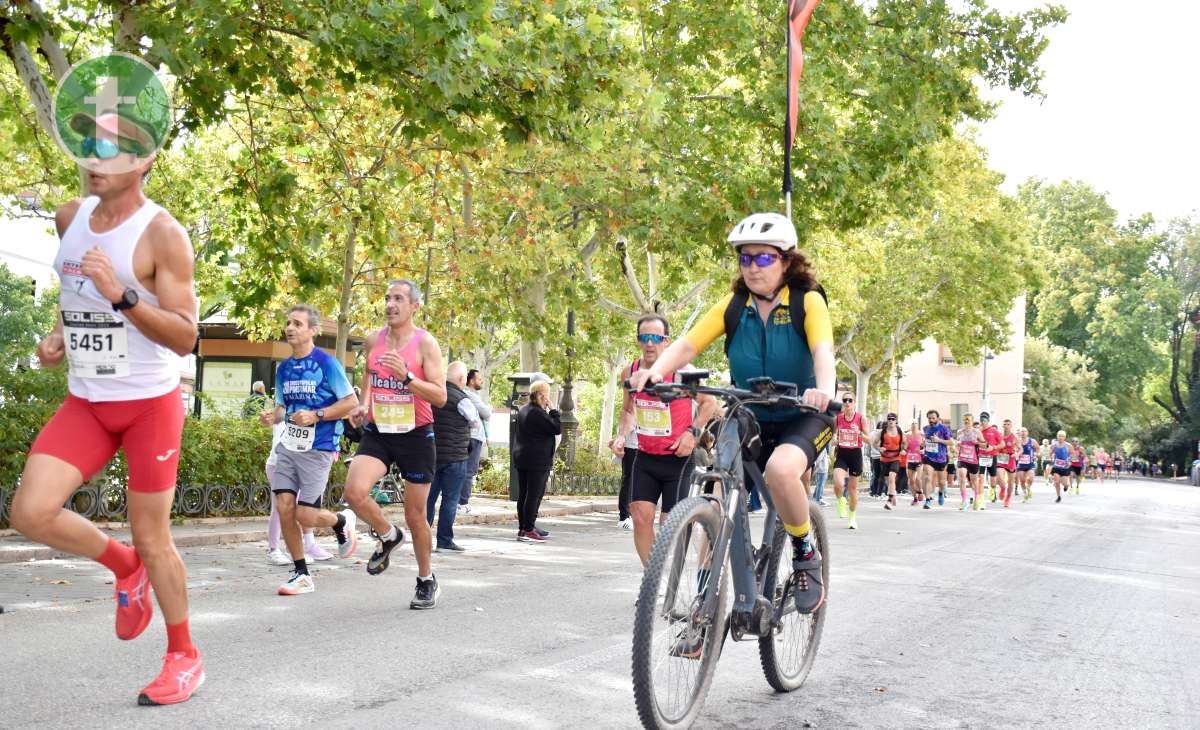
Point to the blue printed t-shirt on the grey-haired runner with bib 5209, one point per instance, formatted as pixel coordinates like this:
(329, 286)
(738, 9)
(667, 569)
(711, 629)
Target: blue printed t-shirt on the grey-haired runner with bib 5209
(311, 384)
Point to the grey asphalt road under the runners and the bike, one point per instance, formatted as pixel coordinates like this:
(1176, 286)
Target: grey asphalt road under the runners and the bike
(1075, 615)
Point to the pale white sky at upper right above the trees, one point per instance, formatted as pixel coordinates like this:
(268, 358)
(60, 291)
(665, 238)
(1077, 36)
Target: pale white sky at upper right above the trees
(1123, 109)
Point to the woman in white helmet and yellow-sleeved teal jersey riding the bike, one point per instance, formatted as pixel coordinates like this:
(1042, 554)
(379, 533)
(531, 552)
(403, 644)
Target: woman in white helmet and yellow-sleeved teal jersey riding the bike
(772, 274)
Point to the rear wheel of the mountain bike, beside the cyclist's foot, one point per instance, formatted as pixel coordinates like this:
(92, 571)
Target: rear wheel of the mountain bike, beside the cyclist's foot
(789, 653)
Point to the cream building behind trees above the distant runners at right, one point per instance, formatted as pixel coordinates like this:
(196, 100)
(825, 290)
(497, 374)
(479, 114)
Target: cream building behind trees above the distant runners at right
(932, 379)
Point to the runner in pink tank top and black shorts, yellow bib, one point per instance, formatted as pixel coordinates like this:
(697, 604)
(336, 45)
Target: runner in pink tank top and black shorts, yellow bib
(403, 382)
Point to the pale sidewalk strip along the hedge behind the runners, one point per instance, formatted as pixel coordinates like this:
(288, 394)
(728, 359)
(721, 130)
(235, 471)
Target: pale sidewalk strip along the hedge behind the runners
(219, 531)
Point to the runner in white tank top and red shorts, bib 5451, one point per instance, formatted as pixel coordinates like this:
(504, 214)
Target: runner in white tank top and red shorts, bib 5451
(128, 314)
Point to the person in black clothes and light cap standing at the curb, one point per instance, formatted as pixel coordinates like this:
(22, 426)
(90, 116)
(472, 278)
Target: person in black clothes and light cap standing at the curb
(533, 453)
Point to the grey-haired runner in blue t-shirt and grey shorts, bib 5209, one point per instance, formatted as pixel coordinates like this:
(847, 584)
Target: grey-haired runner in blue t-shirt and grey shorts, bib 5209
(313, 397)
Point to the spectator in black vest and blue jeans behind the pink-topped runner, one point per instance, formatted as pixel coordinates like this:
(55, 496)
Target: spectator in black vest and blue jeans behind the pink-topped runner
(452, 433)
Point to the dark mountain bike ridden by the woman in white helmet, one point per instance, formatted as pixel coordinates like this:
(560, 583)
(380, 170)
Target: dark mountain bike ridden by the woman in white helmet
(683, 615)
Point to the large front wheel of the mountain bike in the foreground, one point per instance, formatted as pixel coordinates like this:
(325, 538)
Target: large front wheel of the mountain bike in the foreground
(676, 647)
